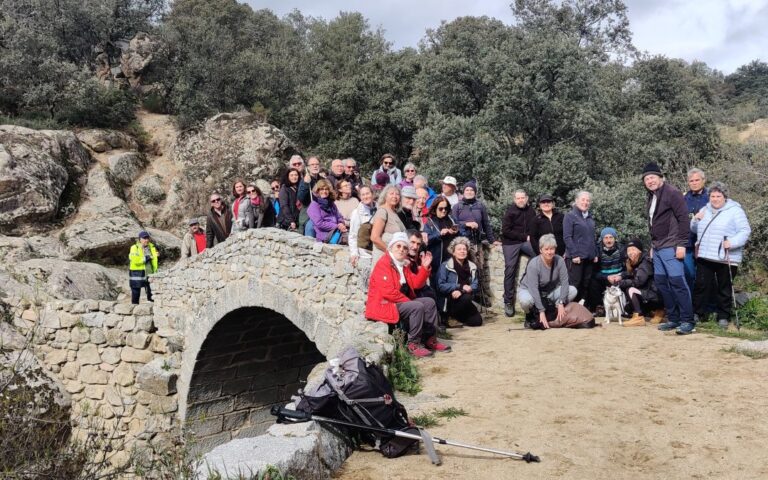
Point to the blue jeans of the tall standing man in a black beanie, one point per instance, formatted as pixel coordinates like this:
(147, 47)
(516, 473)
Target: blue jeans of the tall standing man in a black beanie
(669, 275)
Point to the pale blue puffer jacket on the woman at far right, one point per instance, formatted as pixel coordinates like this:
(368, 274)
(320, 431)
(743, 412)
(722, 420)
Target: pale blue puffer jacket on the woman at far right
(731, 222)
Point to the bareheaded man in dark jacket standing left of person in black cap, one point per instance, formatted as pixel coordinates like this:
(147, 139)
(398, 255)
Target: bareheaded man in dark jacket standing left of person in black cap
(515, 239)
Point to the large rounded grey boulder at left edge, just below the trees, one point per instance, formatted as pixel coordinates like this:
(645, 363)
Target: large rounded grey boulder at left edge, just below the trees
(41, 174)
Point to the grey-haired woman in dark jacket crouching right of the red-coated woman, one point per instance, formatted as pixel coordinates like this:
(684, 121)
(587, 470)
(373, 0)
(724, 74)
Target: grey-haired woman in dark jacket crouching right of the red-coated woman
(457, 283)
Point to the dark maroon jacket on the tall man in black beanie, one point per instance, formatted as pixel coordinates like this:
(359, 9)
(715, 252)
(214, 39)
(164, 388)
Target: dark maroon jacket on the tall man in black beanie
(670, 225)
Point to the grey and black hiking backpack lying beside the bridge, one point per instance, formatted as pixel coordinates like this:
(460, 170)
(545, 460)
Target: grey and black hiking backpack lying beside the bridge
(358, 392)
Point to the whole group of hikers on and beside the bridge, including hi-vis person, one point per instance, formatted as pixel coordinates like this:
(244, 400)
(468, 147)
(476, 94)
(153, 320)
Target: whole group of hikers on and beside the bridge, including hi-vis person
(425, 251)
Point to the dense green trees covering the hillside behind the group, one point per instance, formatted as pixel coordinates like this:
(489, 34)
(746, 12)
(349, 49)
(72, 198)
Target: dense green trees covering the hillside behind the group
(560, 101)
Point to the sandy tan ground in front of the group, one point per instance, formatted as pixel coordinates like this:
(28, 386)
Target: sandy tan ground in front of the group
(608, 403)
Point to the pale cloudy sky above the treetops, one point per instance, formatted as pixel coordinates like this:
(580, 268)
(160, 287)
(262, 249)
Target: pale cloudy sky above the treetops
(723, 33)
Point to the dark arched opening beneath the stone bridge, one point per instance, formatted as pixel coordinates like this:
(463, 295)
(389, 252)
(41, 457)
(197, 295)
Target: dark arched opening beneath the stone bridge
(251, 359)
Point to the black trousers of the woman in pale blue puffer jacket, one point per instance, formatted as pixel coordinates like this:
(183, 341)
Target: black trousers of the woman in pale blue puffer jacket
(713, 285)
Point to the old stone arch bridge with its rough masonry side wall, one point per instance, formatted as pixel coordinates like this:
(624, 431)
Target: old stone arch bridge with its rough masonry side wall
(232, 332)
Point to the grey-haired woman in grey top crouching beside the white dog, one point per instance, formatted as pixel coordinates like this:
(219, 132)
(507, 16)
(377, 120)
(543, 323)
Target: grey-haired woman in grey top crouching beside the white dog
(545, 285)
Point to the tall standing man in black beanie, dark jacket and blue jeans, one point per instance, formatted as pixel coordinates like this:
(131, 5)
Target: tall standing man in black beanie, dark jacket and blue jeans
(669, 227)
